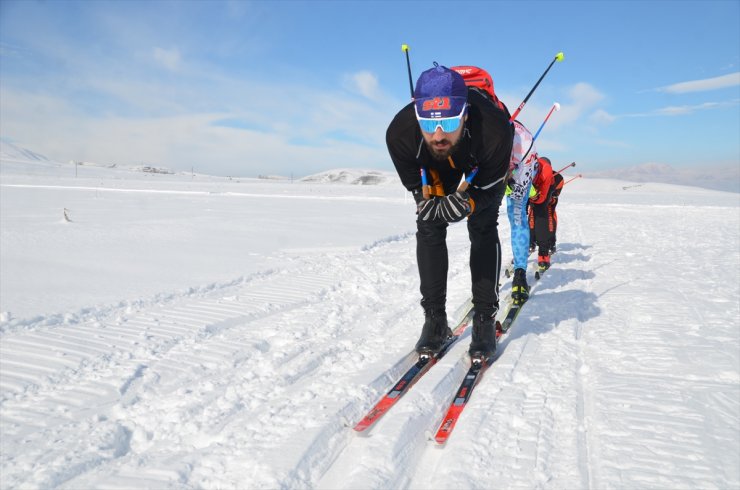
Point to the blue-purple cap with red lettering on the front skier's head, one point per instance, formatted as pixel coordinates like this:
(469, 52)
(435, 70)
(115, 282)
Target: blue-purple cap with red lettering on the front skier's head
(440, 92)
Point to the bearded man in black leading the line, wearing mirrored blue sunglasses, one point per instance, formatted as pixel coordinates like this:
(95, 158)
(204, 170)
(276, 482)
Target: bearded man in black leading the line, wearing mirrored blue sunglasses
(448, 131)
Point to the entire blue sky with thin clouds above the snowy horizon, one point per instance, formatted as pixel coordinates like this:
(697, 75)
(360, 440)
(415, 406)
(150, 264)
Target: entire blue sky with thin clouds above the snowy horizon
(282, 87)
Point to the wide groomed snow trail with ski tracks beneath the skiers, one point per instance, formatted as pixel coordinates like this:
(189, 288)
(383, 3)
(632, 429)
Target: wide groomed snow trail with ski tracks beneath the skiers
(256, 383)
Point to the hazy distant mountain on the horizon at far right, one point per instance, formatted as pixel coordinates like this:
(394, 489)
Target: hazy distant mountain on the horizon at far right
(722, 178)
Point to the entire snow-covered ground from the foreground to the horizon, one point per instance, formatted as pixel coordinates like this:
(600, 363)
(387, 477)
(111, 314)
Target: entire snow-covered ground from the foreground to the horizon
(187, 331)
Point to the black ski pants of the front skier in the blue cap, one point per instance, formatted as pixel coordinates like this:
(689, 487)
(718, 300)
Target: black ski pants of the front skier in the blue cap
(485, 258)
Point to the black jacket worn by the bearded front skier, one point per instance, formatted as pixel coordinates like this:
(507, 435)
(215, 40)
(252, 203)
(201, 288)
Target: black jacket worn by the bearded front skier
(486, 143)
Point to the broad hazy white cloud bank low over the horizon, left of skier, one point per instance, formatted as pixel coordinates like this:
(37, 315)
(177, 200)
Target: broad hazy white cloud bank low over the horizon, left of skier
(328, 131)
